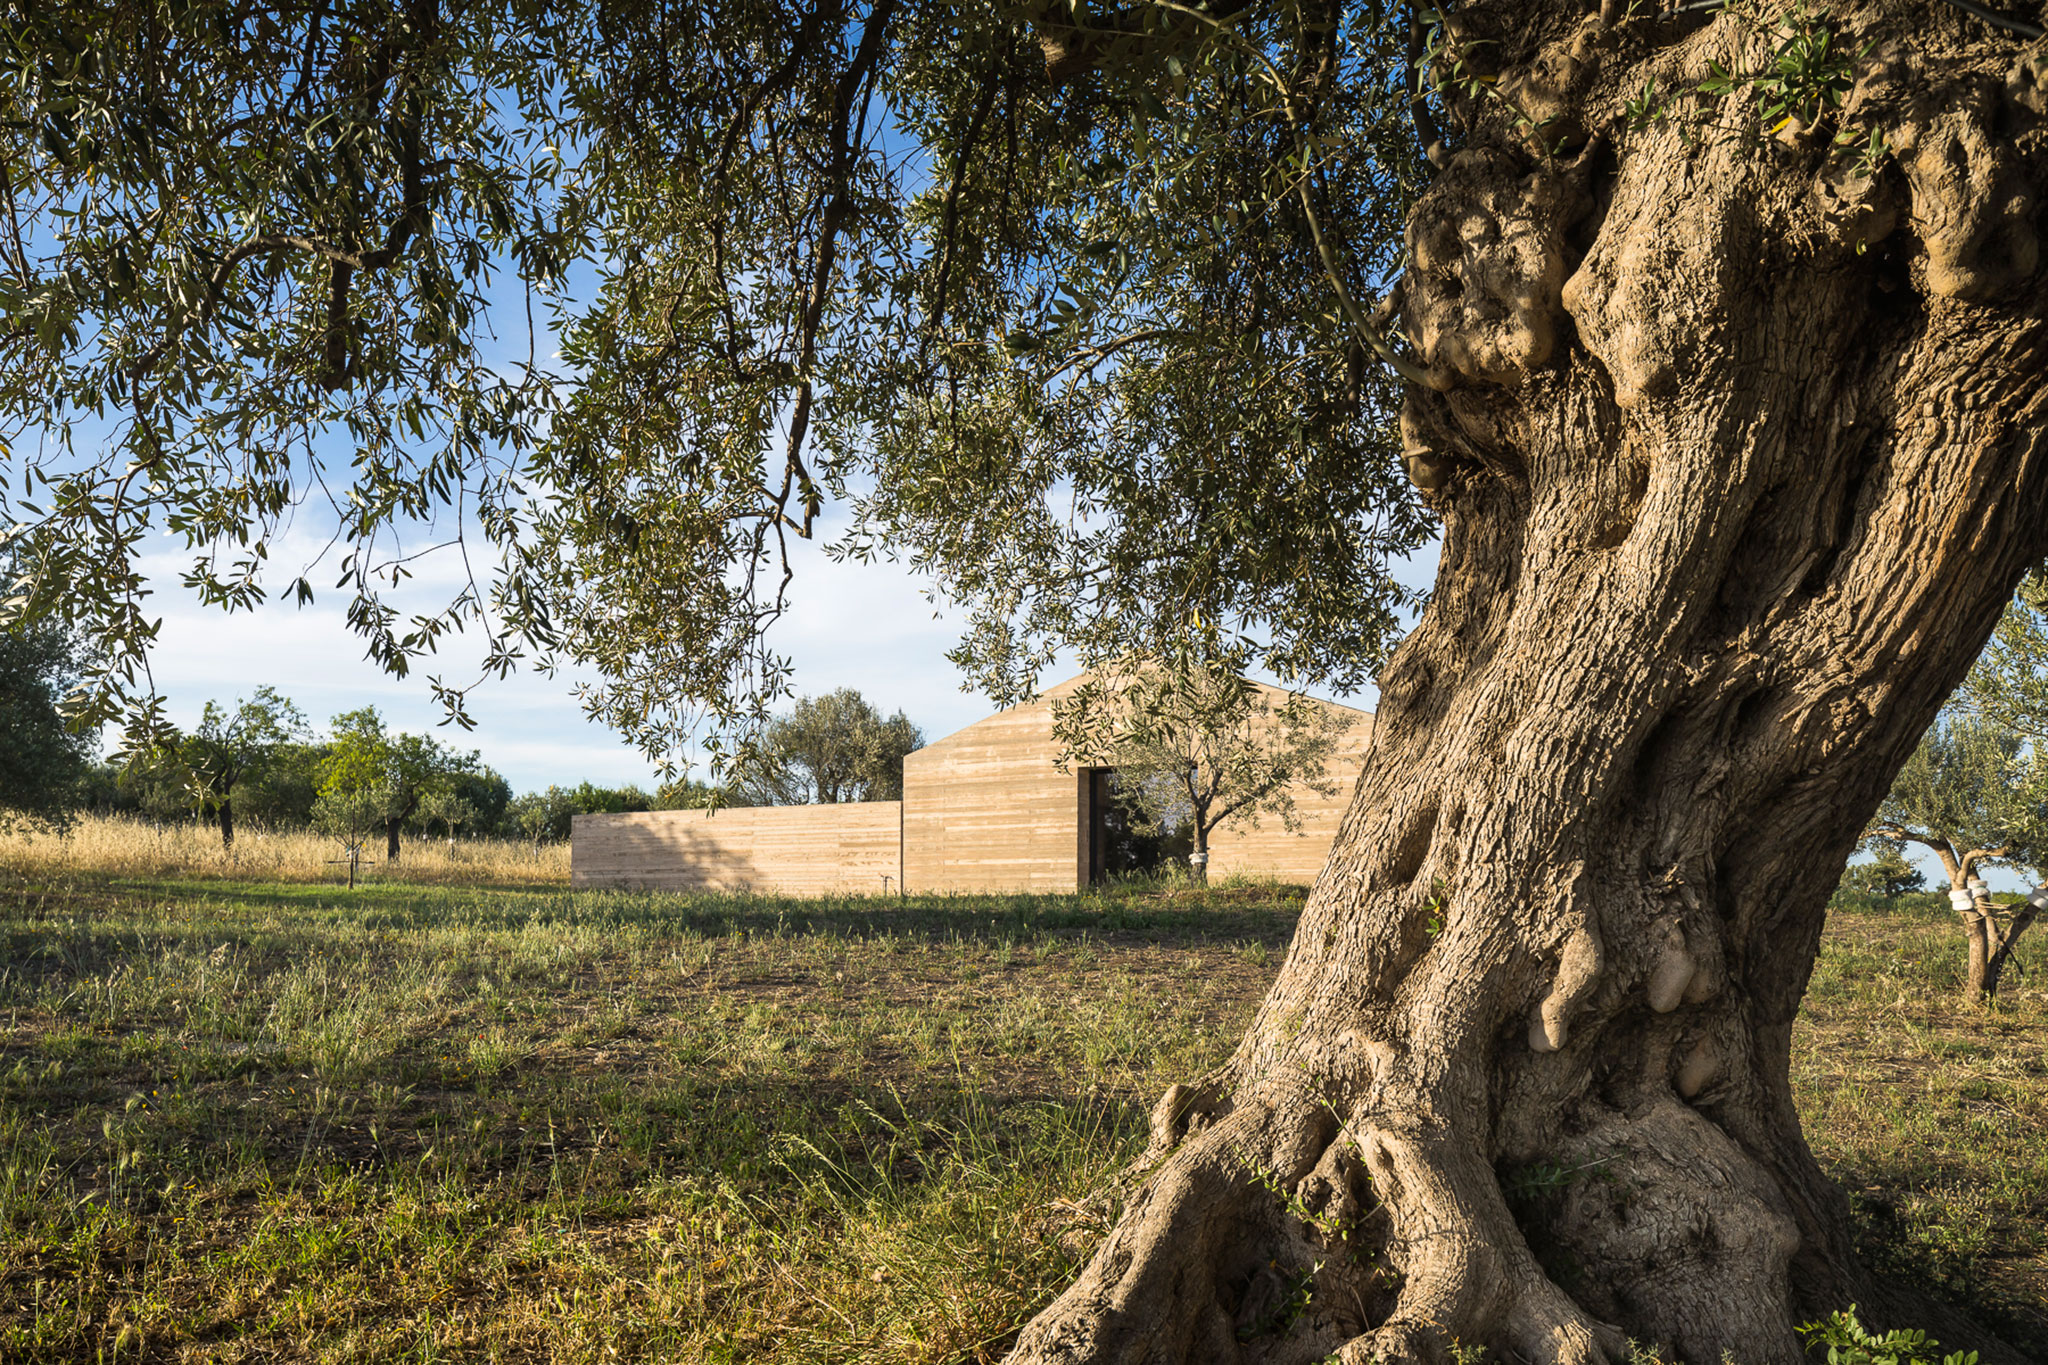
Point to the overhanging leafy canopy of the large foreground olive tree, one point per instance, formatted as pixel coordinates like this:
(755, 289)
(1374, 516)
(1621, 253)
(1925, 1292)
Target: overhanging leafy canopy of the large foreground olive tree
(1066, 347)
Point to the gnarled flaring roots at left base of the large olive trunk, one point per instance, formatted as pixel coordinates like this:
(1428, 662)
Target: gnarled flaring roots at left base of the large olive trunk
(1275, 1237)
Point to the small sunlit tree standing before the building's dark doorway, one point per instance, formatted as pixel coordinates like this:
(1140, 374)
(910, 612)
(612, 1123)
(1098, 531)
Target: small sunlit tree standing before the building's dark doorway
(1205, 750)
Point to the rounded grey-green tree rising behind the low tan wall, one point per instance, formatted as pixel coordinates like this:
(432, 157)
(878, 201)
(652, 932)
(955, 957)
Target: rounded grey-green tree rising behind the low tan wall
(828, 750)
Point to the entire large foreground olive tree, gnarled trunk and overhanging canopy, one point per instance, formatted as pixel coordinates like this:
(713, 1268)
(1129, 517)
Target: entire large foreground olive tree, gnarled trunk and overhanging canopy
(1154, 328)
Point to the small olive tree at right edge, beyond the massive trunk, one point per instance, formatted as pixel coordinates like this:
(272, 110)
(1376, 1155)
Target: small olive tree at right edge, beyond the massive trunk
(1971, 793)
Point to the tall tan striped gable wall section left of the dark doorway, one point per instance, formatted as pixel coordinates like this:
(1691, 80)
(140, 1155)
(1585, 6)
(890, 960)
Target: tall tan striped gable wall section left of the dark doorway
(986, 809)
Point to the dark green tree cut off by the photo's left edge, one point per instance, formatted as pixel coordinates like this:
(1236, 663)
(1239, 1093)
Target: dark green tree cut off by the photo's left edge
(44, 764)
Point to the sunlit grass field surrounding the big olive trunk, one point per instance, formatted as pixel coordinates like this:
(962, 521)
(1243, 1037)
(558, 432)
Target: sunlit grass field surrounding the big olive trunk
(421, 1122)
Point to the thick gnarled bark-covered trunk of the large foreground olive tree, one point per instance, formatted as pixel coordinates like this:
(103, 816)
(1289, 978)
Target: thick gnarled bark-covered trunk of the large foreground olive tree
(1738, 459)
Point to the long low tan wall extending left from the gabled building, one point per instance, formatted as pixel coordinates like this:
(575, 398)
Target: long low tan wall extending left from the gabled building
(792, 850)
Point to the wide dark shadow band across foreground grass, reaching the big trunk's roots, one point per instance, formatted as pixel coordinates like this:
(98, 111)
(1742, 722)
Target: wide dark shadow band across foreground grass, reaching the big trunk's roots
(540, 1133)
